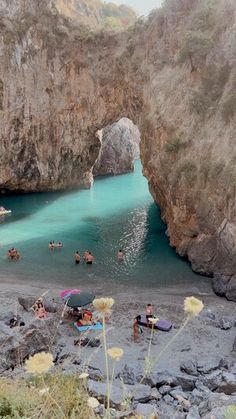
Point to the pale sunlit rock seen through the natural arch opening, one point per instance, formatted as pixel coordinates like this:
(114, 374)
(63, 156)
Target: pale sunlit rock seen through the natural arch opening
(120, 147)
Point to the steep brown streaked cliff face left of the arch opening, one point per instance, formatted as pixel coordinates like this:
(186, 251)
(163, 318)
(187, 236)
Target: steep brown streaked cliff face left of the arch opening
(57, 88)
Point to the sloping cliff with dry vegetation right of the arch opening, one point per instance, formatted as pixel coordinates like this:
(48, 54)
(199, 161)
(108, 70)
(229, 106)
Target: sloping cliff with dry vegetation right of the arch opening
(189, 149)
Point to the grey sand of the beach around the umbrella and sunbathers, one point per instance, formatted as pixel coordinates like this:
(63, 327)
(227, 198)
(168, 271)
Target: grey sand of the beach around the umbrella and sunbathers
(200, 340)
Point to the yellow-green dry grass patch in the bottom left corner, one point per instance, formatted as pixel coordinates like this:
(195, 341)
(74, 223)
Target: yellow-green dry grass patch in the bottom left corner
(53, 397)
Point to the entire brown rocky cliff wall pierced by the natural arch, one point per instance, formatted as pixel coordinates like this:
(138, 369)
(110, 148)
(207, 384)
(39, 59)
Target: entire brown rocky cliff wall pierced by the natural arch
(173, 75)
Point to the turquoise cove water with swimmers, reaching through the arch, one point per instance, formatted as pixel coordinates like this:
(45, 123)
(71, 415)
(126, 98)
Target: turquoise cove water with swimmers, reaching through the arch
(118, 212)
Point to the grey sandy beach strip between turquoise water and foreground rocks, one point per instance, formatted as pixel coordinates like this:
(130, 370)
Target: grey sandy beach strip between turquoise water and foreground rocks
(168, 304)
